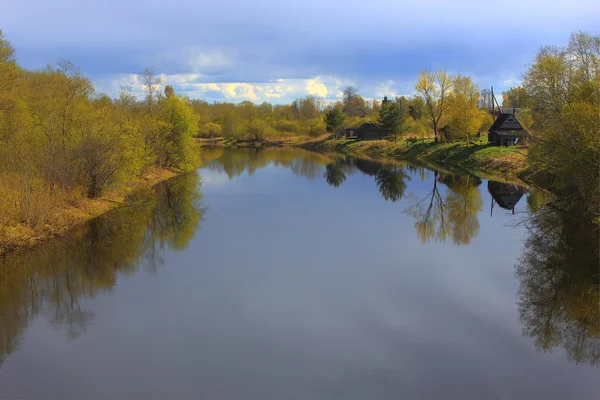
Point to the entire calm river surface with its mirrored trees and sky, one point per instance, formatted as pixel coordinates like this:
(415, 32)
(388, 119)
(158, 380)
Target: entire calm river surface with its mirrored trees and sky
(282, 274)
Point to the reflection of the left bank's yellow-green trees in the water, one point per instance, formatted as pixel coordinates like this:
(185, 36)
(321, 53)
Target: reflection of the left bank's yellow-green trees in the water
(53, 278)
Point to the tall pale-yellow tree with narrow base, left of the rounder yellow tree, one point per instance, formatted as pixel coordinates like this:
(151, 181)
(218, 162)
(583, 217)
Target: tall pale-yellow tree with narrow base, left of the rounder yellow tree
(434, 89)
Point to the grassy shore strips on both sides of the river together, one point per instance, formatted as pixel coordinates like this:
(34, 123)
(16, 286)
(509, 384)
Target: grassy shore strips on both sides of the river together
(506, 164)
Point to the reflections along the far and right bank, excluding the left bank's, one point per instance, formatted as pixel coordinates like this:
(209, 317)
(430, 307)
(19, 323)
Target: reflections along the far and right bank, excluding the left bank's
(558, 270)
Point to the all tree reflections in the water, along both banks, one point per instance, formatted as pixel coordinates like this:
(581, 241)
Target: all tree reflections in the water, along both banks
(558, 270)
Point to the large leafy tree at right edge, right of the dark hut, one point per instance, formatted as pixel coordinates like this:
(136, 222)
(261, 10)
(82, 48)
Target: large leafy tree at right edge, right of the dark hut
(563, 87)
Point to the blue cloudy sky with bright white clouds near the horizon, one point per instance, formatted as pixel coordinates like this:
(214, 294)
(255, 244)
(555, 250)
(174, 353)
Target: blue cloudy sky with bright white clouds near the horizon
(279, 50)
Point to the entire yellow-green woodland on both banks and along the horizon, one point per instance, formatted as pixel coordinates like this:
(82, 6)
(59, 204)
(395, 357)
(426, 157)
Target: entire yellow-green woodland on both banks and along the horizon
(60, 141)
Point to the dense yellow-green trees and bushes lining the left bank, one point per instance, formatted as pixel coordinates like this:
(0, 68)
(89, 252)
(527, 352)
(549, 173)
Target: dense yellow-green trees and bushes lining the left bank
(60, 141)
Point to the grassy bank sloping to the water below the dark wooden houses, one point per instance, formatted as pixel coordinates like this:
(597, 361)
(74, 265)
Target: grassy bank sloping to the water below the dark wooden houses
(504, 163)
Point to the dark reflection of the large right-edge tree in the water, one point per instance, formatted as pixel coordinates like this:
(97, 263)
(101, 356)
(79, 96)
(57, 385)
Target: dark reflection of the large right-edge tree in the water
(560, 293)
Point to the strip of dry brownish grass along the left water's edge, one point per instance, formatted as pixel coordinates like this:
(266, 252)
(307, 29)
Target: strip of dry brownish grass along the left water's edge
(71, 212)
